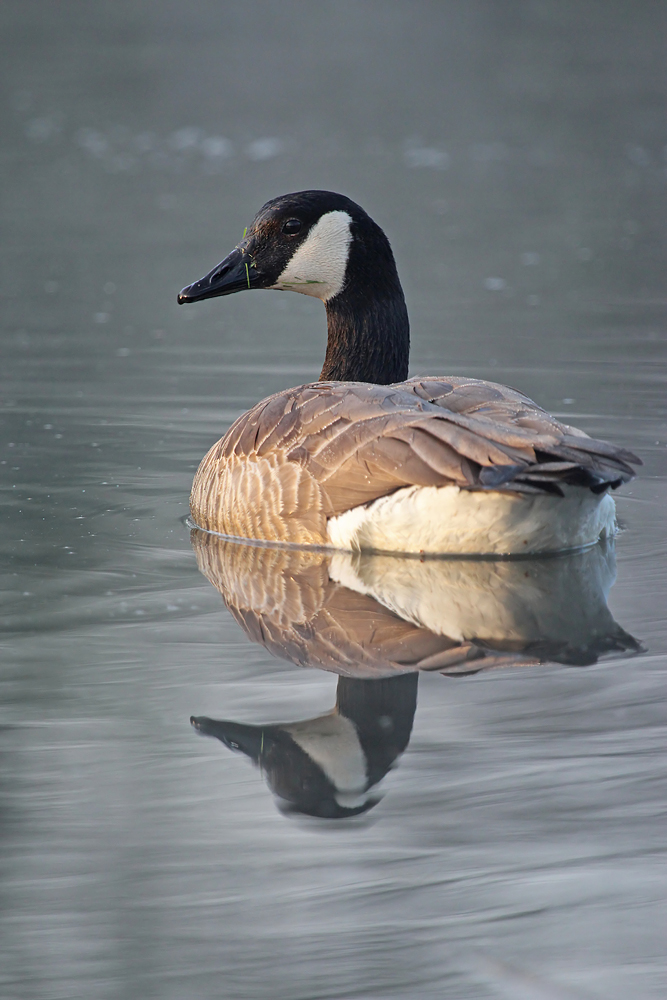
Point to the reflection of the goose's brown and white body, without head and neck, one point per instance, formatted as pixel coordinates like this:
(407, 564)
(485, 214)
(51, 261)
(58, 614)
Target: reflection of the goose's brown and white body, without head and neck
(366, 615)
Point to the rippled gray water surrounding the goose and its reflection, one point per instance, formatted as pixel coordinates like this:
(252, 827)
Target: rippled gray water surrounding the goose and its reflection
(516, 155)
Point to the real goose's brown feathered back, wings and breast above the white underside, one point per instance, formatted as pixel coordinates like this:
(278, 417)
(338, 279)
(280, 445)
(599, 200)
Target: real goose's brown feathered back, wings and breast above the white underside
(308, 454)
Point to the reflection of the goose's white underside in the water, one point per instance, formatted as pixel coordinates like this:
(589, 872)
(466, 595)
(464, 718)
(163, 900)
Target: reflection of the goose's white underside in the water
(559, 600)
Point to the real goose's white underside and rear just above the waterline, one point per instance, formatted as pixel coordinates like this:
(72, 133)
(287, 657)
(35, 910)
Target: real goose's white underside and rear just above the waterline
(449, 520)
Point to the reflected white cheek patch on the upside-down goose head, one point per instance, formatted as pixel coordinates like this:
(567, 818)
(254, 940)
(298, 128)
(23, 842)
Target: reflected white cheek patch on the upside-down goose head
(332, 742)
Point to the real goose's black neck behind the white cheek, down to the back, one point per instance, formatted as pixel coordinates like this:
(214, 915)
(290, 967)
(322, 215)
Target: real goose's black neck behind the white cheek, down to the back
(369, 331)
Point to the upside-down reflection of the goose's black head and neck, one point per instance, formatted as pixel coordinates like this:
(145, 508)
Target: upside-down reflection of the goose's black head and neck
(328, 766)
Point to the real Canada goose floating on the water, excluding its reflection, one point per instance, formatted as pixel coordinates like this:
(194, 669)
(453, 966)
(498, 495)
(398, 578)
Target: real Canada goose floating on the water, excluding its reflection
(363, 460)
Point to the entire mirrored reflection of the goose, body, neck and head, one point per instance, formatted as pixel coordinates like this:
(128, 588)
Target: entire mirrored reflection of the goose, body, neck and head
(378, 621)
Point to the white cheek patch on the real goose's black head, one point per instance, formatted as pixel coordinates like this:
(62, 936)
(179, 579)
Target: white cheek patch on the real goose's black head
(319, 264)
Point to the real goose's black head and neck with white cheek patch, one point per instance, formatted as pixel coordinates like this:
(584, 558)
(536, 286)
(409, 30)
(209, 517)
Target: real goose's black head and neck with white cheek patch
(323, 244)
